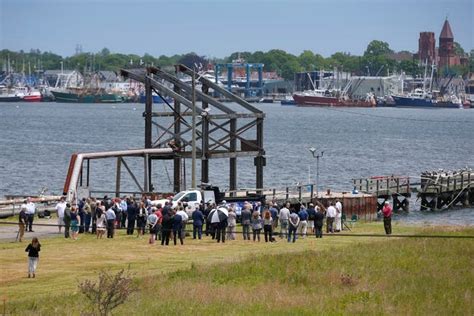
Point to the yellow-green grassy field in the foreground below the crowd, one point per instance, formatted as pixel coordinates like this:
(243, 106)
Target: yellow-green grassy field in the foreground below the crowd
(333, 275)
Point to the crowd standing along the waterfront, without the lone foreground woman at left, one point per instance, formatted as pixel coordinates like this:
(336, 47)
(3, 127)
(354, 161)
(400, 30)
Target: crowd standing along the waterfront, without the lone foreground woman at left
(165, 223)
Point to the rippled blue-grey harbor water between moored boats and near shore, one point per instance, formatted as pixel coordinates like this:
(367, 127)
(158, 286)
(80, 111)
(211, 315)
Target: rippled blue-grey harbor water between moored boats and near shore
(37, 140)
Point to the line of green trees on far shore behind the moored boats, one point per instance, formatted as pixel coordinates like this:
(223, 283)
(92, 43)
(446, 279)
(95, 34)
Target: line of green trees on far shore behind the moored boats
(378, 59)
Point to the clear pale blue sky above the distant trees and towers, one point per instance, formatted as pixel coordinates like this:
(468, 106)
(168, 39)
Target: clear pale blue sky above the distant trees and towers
(216, 28)
